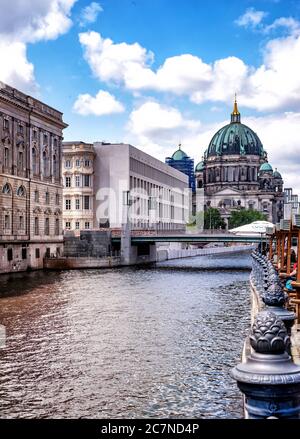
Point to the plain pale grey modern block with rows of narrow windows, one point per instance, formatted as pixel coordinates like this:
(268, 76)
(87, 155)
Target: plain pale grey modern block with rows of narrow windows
(158, 194)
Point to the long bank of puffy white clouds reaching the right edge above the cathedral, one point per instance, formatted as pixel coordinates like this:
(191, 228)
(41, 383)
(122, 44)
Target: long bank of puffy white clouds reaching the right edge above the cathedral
(273, 85)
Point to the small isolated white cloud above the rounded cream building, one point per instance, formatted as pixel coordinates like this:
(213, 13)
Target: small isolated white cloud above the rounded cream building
(103, 103)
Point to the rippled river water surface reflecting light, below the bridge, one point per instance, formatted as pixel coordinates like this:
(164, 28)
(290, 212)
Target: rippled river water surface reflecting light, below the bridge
(135, 342)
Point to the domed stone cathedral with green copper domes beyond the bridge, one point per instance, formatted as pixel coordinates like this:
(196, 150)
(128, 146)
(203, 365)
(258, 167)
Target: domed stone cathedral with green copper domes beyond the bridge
(235, 173)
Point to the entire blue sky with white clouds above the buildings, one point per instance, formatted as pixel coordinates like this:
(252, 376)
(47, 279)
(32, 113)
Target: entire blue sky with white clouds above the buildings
(156, 73)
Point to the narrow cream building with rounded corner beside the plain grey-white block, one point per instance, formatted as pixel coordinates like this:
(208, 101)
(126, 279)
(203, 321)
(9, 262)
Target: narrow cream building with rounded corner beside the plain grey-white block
(78, 179)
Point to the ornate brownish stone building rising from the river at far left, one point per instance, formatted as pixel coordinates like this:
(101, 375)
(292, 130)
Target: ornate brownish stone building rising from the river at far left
(30, 181)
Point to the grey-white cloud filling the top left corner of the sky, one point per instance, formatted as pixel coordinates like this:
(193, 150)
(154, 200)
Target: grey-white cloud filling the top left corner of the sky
(28, 22)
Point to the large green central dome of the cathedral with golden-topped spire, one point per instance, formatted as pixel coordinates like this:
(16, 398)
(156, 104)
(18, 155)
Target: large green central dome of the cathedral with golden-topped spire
(235, 139)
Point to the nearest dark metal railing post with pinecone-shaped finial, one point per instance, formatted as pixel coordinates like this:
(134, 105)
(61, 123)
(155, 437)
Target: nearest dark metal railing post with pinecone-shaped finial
(269, 379)
